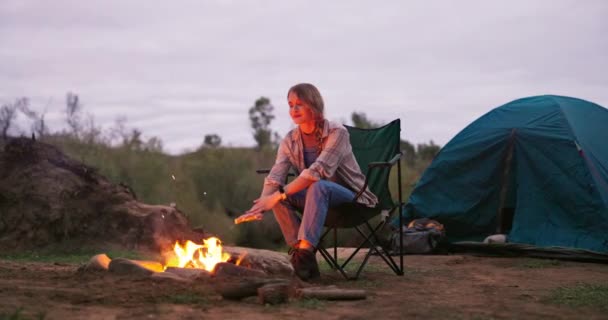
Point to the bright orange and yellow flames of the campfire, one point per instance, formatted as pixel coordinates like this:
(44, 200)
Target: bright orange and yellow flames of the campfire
(193, 255)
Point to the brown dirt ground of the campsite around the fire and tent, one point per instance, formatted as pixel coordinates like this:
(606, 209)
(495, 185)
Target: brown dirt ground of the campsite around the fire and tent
(433, 287)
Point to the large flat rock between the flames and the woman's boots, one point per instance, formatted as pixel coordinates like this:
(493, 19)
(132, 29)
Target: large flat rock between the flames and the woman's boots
(271, 262)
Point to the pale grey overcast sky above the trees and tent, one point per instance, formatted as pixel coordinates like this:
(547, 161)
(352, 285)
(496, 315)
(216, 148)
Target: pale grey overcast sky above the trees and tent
(182, 69)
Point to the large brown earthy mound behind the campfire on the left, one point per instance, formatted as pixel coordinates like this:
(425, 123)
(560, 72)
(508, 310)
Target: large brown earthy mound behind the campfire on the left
(75, 202)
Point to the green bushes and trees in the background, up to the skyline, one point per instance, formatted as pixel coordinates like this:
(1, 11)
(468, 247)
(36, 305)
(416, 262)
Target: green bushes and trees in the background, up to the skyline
(211, 185)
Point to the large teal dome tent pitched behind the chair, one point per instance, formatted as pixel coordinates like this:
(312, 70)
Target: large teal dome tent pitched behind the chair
(535, 169)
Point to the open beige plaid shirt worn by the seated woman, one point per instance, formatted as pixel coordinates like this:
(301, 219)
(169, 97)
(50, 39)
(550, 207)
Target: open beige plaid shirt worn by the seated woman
(335, 163)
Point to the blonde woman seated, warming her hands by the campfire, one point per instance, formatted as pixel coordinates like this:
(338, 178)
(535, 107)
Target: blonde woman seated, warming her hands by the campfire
(328, 175)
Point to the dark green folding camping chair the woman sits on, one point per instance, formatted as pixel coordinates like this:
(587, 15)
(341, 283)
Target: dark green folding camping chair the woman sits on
(376, 151)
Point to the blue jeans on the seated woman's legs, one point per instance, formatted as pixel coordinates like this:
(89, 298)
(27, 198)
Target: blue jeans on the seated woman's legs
(313, 202)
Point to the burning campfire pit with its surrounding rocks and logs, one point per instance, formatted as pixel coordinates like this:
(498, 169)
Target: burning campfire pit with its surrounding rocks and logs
(234, 272)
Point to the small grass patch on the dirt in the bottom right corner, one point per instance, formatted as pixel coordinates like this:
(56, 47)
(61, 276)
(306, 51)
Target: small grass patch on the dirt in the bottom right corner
(581, 295)
